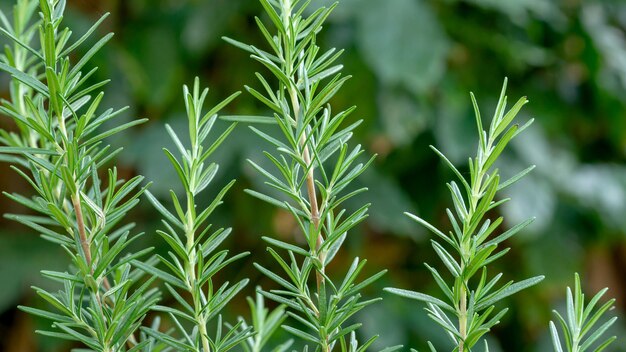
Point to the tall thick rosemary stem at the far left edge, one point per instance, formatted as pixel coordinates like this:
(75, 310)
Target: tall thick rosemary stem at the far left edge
(58, 149)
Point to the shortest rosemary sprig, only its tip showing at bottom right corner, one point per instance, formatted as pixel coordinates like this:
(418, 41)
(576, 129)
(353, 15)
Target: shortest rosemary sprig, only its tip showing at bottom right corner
(577, 326)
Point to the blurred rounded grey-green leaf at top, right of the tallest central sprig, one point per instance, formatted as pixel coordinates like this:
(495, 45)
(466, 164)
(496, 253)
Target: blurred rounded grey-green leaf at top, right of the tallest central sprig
(402, 42)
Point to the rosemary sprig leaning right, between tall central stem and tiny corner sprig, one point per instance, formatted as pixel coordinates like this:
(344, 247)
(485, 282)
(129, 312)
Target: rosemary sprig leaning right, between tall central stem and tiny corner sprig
(471, 302)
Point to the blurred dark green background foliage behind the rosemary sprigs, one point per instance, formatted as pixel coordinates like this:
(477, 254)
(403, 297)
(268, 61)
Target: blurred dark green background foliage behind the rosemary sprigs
(414, 63)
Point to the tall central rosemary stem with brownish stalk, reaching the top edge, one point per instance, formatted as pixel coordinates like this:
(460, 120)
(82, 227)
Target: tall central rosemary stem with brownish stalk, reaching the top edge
(313, 168)
